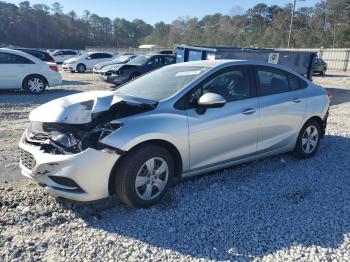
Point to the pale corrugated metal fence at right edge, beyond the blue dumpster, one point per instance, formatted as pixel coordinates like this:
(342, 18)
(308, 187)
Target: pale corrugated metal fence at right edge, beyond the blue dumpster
(336, 58)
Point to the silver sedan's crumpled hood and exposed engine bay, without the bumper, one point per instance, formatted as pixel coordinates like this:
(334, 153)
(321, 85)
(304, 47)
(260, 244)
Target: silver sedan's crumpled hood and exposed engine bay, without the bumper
(82, 125)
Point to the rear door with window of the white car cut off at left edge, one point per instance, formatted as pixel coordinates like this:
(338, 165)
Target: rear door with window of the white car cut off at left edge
(13, 69)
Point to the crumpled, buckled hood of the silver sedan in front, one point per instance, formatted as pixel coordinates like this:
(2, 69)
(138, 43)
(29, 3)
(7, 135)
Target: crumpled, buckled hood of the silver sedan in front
(80, 108)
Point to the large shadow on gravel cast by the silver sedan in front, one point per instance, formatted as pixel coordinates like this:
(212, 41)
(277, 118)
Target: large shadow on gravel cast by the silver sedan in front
(246, 211)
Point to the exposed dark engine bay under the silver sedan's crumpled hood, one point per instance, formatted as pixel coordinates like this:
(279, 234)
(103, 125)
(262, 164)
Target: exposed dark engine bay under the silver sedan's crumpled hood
(69, 138)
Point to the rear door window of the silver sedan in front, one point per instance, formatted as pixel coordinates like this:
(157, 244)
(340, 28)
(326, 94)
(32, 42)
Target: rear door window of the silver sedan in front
(271, 81)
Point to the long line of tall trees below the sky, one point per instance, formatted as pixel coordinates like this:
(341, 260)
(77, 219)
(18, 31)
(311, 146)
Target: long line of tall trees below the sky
(327, 24)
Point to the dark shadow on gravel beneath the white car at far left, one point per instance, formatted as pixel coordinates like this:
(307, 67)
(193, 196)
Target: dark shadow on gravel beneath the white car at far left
(15, 97)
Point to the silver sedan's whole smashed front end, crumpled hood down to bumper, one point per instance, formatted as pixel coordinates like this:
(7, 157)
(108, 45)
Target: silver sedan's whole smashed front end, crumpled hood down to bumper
(61, 147)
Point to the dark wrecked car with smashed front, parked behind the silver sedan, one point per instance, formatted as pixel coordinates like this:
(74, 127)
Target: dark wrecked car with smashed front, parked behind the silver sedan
(136, 67)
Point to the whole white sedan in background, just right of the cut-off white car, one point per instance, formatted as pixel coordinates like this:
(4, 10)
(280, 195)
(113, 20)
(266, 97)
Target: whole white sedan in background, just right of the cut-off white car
(86, 61)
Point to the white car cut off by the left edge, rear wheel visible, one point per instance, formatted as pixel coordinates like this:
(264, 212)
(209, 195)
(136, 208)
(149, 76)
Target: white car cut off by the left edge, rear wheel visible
(19, 70)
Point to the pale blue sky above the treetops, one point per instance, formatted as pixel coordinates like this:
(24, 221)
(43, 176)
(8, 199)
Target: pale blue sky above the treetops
(152, 11)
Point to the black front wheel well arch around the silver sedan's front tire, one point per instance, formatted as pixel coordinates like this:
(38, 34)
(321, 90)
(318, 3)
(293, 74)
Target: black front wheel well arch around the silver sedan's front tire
(172, 149)
